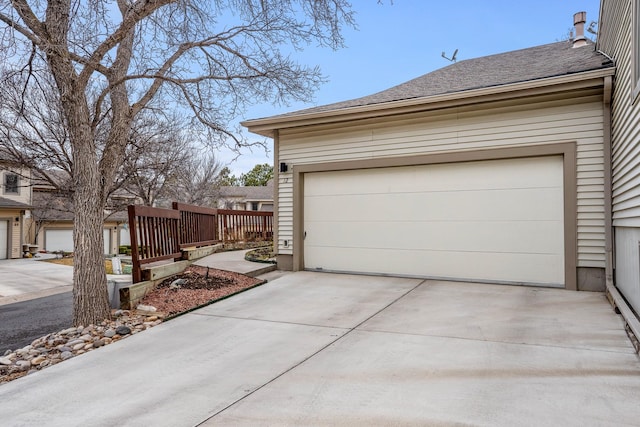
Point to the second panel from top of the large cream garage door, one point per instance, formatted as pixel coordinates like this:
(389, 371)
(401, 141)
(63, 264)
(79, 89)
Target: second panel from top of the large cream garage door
(521, 204)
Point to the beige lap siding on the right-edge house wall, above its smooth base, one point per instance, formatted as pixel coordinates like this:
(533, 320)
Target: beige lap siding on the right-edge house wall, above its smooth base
(616, 41)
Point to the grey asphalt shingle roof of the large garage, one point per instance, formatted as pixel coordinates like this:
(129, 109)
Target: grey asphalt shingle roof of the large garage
(551, 60)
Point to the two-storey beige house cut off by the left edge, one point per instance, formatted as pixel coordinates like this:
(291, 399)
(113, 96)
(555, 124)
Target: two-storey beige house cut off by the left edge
(15, 205)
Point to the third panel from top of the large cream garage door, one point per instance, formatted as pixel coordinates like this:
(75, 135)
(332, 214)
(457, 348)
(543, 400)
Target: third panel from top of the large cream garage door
(499, 236)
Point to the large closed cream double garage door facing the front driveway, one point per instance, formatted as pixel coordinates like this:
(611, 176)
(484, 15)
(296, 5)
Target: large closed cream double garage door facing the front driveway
(499, 221)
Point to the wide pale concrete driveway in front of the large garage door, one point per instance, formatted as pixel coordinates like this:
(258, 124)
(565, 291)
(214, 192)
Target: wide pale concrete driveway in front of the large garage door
(323, 349)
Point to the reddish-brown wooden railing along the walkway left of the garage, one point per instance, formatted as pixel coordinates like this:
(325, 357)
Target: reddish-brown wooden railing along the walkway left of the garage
(159, 234)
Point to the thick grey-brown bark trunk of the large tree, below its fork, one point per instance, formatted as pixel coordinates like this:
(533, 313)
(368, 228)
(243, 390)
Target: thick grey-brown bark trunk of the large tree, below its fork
(90, 296)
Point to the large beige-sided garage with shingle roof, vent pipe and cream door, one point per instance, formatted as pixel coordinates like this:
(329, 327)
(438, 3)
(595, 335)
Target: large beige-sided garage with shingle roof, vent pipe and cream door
(491, 169)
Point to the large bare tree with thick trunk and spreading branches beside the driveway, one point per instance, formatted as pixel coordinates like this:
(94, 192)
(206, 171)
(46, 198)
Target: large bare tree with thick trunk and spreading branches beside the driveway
(112, 60)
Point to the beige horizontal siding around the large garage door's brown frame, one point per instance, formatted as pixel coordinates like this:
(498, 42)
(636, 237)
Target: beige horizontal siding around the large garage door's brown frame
(464, 129)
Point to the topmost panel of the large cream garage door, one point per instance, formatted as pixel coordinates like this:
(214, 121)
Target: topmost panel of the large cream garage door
(460, 176)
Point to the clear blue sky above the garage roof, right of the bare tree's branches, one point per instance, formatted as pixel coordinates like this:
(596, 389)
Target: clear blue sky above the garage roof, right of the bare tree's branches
(397, 41)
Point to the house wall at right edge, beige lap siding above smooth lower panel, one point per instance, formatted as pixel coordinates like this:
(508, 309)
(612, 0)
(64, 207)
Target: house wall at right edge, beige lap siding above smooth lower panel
(619, 38)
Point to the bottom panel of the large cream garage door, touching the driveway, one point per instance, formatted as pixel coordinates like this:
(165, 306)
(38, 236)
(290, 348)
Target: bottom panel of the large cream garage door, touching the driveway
(536, 269)
